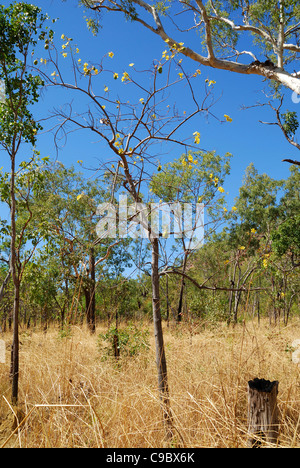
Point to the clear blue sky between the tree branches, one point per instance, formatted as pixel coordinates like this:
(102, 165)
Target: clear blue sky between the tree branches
(247, 139)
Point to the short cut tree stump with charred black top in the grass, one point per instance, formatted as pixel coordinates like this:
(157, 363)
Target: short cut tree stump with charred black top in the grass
(263, 416)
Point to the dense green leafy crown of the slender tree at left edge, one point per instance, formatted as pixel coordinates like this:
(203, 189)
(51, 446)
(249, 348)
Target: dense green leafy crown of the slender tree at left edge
(20, 29)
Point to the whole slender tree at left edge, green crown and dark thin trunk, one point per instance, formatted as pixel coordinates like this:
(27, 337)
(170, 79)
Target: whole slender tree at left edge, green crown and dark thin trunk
(22, 25)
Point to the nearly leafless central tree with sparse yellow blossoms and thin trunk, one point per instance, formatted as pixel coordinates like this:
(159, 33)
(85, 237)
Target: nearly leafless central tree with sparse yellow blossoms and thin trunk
(135, 125)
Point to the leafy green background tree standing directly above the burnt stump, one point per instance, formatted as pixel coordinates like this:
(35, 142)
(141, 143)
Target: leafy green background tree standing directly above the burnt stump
(256, 216)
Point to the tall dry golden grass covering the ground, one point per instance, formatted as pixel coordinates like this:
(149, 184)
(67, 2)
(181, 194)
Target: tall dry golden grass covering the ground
(69, 397)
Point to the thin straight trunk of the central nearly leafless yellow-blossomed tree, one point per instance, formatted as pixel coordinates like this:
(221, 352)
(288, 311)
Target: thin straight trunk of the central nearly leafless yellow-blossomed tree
(159, 342)
